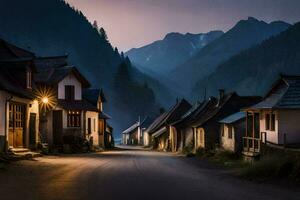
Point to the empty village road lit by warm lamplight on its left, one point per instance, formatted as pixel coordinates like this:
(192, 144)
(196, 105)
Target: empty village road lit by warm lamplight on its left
(128, 174)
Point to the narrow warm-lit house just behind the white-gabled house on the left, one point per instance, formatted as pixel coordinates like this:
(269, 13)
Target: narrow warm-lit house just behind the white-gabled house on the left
(100, 133)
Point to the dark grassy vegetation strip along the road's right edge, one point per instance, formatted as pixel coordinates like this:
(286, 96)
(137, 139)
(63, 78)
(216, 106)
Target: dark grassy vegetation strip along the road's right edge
(267, 168)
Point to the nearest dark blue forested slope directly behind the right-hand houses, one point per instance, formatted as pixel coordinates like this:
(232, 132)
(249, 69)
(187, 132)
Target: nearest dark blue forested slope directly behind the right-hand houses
(253, 71)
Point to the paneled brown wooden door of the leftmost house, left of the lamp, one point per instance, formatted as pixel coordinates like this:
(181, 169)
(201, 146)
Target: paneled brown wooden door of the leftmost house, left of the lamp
(16, 125)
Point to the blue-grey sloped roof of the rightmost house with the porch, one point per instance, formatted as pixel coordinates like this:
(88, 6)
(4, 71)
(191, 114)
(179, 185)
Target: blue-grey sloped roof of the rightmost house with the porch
(285, 94)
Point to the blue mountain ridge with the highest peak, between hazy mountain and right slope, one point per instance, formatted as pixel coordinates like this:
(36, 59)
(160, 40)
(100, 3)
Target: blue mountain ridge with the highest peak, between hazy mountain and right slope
(245, 34)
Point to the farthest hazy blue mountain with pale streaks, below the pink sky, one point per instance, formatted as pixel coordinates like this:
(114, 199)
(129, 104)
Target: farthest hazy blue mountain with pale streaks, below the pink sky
(163, 55)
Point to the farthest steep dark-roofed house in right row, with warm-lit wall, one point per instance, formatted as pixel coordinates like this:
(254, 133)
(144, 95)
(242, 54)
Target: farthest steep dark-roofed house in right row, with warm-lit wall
(161, 129)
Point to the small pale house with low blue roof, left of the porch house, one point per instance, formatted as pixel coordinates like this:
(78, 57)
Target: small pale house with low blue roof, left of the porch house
(233, 128)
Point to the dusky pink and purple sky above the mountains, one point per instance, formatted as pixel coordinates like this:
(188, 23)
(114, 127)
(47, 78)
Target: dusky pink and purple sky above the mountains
(135, 23)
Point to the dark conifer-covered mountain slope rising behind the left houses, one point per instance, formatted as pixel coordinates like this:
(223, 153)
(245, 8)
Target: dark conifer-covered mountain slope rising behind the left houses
(52, 27)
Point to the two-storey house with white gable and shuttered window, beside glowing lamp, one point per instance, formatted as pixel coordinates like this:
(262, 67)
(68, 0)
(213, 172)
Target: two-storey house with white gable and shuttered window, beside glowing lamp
(71, 117)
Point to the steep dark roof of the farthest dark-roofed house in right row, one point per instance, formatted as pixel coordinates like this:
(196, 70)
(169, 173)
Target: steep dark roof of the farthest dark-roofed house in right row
(173, 115)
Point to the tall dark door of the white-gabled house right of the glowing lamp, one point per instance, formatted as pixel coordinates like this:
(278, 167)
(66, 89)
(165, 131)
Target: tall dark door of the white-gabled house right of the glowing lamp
(57, 127)
